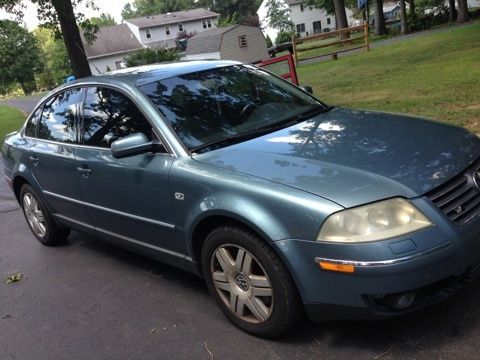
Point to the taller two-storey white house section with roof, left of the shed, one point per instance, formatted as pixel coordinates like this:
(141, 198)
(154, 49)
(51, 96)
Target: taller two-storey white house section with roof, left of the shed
(162, 30)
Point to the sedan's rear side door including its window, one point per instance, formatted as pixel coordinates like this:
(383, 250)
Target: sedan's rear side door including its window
(52, 154)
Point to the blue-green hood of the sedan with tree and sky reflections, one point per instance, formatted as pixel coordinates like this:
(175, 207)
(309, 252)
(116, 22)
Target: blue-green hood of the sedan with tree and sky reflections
(354, 157)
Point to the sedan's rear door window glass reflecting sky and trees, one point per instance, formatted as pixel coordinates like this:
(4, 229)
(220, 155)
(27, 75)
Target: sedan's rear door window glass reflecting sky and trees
(57, 122)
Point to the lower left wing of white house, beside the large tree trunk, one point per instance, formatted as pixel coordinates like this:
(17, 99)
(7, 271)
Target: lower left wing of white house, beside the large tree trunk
(111, 46)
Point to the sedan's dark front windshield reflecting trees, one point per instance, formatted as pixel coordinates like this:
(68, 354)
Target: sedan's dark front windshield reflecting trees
(209, 106)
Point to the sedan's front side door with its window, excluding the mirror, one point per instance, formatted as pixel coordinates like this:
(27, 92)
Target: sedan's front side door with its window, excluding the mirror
(129, 199)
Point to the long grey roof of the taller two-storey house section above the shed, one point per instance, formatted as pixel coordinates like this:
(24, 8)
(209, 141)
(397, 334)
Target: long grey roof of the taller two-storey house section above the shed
(172, 18)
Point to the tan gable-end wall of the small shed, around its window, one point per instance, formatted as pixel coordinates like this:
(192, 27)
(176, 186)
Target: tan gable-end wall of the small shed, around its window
(256, 48)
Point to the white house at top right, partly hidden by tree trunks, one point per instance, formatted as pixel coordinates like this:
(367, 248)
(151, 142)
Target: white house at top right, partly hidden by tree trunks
(307, 20)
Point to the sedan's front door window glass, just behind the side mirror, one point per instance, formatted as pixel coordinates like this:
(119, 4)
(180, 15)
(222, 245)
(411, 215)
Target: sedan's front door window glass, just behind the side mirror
(109, 115)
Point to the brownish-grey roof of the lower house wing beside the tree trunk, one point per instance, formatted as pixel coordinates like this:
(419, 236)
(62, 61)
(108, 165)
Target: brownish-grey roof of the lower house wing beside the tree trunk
(112, 40)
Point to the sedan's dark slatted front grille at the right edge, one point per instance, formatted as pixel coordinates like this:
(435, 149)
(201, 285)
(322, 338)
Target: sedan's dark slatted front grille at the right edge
(459, 198)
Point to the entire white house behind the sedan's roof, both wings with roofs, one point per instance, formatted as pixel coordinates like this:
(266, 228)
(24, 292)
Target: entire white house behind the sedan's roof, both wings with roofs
(114, 43)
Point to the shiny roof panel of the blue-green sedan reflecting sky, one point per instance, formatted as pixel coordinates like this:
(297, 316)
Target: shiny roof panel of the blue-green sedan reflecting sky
(142, 75)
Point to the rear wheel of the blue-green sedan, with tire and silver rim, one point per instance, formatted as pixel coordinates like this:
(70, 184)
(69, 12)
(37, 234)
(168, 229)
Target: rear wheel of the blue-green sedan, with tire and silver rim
(39, 219)
